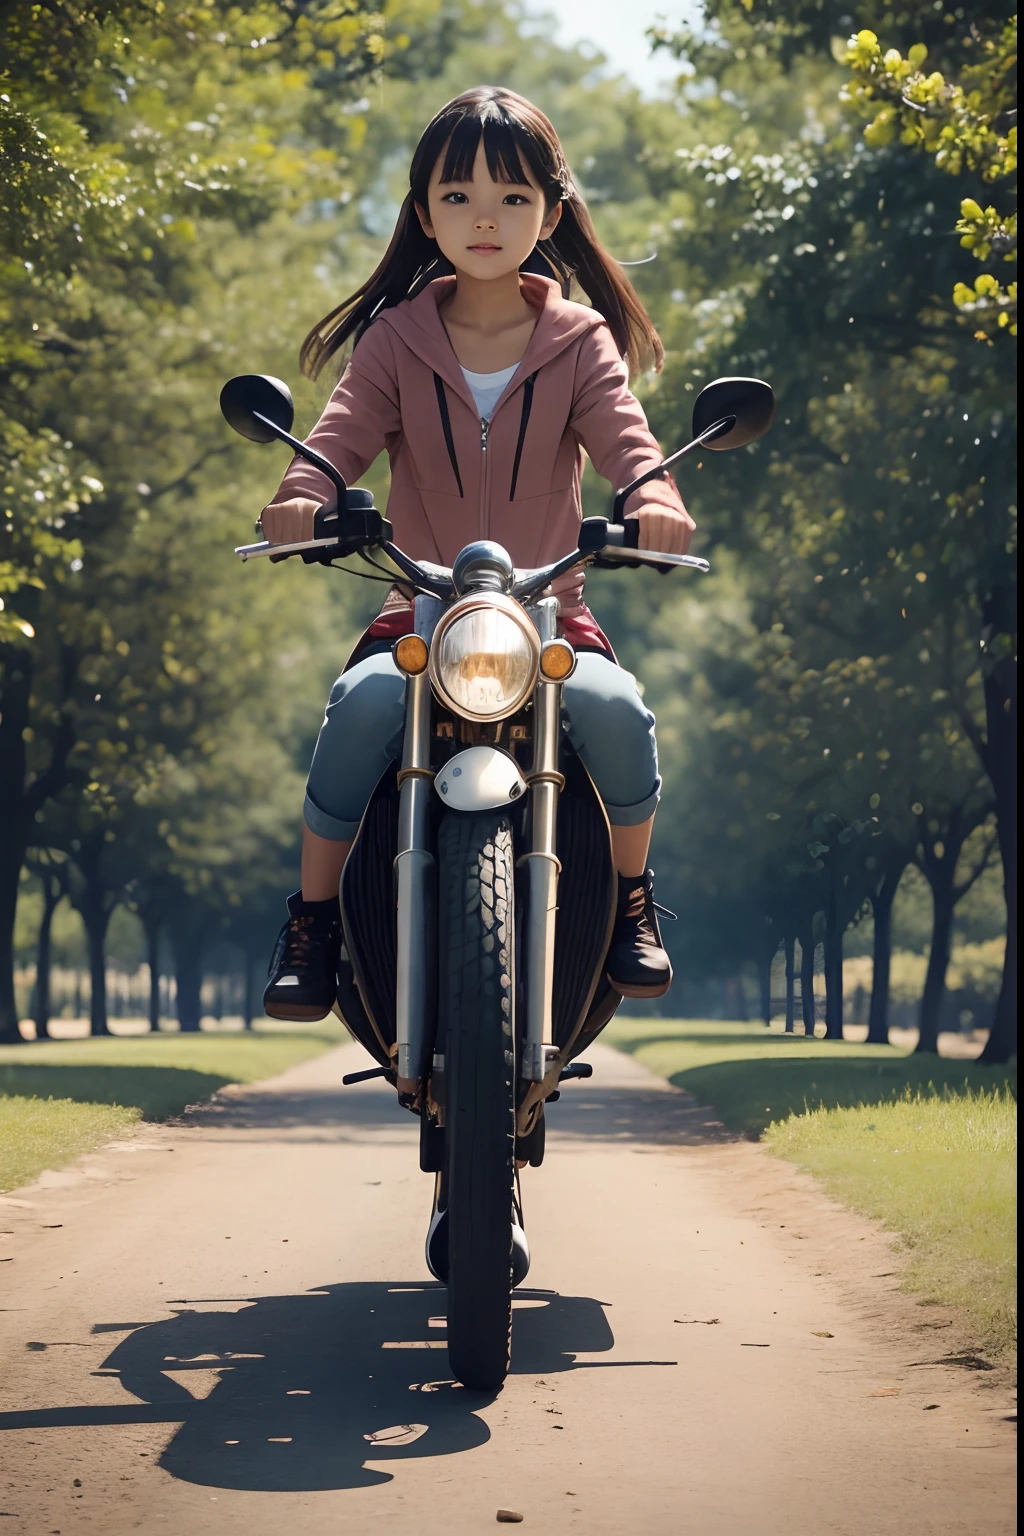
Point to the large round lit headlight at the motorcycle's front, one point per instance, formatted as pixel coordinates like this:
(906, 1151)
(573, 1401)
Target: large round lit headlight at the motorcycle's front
(484, 660)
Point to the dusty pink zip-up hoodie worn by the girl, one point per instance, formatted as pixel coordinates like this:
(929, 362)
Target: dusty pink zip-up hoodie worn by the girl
(517, 480)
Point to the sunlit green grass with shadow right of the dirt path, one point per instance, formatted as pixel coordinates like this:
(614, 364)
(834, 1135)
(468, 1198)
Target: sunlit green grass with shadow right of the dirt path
(927, 1147)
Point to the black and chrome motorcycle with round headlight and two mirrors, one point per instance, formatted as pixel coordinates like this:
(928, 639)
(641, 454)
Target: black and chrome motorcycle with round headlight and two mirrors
(480, 895)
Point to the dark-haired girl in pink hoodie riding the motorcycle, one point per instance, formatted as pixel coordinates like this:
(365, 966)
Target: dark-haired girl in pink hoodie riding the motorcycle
(484, 385)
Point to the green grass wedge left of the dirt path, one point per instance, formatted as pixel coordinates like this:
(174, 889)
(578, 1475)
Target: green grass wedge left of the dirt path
(64, 1097)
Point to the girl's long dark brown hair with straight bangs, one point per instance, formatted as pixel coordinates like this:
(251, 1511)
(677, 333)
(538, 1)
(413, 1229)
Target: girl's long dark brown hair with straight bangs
(512, 128)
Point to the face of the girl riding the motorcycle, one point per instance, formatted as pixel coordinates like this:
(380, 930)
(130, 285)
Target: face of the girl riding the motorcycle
(486, 228)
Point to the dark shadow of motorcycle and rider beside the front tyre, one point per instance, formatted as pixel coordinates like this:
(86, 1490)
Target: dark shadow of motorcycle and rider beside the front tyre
(308, 1391)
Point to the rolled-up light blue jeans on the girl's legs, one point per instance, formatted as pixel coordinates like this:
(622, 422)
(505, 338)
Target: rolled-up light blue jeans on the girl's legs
(603, 713)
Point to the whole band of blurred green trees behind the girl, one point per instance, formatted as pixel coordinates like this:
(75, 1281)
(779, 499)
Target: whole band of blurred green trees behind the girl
(196, 184)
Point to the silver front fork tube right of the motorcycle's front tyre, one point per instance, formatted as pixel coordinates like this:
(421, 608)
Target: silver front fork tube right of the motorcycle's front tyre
(543, 862)
